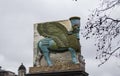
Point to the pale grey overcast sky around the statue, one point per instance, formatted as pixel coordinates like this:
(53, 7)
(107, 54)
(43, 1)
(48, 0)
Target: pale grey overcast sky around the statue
(16, 32)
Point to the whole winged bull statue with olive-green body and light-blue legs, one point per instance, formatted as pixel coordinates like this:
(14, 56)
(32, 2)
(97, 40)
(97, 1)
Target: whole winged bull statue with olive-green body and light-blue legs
(58, 39)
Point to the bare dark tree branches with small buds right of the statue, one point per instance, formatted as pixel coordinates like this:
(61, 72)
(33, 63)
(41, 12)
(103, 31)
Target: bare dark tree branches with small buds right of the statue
(105, 29)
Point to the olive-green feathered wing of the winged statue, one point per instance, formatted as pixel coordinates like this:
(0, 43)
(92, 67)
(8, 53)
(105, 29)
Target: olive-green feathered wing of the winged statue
(56, 31)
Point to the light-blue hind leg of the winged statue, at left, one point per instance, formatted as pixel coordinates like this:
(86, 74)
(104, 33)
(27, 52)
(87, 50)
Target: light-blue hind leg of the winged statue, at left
(46, 54)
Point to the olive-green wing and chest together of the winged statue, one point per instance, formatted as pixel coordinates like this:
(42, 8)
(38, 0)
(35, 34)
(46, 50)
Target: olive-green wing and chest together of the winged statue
(59, 34)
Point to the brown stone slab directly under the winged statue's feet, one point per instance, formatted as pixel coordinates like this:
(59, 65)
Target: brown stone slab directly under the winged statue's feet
(63, 67)
